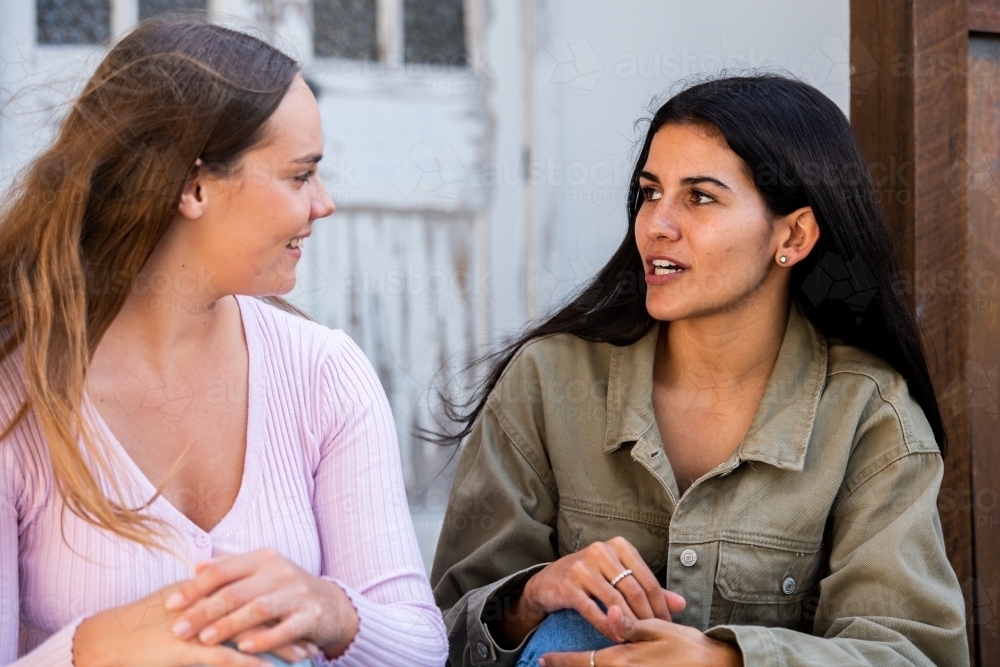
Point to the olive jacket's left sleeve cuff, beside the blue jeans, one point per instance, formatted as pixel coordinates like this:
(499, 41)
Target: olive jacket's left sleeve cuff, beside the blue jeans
(486, 605)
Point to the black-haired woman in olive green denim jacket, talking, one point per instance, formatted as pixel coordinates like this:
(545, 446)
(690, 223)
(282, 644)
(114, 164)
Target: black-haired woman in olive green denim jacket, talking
(713, 456)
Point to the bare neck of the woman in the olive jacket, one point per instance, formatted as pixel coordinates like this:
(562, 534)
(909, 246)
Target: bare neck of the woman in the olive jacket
(727, 350)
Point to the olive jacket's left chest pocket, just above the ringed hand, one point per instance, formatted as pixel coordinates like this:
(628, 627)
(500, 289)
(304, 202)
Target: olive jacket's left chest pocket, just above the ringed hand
(581, 523)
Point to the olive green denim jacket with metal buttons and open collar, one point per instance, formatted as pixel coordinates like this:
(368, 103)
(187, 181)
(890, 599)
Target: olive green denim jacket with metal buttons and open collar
(817, 543)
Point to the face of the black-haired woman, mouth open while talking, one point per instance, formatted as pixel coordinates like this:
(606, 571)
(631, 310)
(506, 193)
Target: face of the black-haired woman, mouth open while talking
(704, 233)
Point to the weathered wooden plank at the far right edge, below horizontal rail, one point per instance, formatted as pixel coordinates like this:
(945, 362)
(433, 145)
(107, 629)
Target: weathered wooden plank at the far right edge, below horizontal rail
(978, 385)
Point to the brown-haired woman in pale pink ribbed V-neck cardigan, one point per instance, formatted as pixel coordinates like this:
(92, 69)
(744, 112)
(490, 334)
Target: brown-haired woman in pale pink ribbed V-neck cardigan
(230, 469)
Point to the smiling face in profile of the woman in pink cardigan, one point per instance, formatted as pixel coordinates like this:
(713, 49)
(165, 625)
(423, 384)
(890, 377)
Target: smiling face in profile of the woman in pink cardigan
(256, 220)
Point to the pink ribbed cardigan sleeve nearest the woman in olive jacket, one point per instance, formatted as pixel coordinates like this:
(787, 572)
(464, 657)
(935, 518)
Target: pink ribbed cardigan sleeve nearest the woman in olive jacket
(368, 544)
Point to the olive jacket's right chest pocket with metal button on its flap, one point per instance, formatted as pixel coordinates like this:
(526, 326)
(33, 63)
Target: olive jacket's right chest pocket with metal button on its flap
(766, 586)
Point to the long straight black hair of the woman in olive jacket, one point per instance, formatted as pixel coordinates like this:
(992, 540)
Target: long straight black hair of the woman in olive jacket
(799, 149)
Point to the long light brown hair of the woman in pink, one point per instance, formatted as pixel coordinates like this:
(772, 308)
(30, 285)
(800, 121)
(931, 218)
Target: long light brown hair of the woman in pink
(85, 216)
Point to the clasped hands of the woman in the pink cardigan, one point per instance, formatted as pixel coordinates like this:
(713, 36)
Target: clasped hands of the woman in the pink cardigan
(261, 601)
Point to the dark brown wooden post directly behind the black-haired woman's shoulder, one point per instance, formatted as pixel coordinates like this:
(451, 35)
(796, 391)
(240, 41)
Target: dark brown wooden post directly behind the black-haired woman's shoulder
(910, 119)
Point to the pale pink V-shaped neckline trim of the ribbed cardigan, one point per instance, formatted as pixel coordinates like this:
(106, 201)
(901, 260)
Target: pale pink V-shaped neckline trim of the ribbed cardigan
(162, 507)
